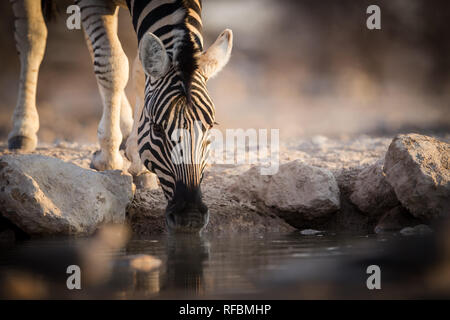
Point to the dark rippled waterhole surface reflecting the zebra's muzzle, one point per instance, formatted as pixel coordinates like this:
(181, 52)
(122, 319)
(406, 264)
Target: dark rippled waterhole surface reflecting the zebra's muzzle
(239, 266)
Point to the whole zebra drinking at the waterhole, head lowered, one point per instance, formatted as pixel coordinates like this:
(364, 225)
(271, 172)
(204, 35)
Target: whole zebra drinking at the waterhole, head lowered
(172, 108)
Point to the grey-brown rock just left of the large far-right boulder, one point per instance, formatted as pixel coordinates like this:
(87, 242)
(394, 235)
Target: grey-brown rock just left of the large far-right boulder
(372, 194)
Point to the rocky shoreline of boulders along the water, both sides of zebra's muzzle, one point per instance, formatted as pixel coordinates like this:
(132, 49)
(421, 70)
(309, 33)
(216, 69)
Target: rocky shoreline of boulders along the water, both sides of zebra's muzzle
(361, 185)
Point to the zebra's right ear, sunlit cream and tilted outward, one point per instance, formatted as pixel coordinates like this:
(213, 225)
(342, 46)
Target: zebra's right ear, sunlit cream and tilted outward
(216, 57)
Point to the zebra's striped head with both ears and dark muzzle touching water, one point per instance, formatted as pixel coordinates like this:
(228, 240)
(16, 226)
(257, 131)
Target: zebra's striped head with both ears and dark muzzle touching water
(174, 124)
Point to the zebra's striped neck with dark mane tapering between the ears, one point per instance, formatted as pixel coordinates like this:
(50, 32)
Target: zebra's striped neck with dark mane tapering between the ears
(178, 24)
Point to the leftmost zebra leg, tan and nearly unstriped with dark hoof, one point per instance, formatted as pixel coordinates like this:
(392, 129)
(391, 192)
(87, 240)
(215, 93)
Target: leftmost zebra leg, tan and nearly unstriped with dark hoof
(31, 37)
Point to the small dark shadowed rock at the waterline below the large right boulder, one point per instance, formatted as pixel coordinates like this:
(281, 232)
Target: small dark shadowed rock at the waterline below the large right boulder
(396, 219)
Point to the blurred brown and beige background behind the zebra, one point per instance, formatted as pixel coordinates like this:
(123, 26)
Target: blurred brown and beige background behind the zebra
(306, 67)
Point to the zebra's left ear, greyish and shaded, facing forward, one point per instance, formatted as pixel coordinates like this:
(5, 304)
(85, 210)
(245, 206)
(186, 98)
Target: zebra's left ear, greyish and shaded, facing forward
(153, 56)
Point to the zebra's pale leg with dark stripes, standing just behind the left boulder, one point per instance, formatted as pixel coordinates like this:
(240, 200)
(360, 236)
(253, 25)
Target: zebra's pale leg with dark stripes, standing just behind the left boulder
(99, 19)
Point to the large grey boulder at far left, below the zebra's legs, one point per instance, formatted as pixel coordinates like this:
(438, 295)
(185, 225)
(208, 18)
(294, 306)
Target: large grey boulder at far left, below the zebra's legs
(44, 195)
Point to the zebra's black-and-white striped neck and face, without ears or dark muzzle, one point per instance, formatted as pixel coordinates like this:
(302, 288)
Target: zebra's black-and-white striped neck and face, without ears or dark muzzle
(178, 112)
